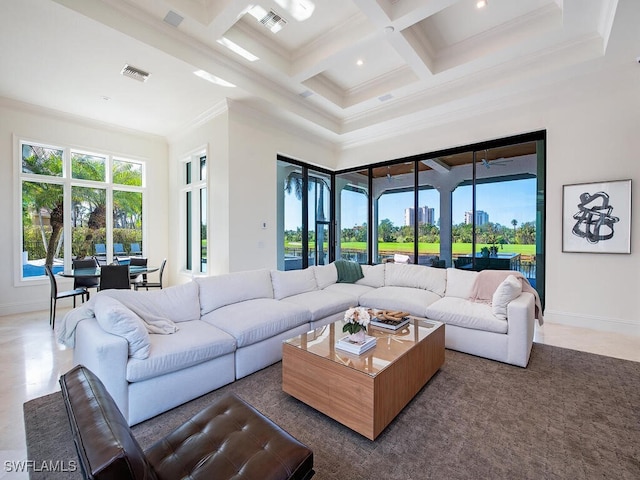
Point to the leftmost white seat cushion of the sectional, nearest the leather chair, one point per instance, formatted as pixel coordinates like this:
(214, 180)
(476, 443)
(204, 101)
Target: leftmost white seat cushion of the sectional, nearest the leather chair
(195, 342)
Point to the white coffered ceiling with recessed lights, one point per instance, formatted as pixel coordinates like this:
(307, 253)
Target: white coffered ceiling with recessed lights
(339, 68)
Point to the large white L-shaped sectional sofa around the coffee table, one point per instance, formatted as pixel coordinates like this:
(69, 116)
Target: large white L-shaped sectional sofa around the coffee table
(228, 326)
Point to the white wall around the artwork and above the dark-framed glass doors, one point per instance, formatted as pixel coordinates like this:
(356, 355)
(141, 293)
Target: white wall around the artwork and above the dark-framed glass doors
(592, 128)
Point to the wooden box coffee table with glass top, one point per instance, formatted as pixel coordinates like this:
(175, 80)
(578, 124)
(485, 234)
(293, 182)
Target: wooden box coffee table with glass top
(363, 392)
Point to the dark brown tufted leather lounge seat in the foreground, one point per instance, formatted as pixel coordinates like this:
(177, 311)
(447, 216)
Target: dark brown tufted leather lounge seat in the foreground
(228, 439)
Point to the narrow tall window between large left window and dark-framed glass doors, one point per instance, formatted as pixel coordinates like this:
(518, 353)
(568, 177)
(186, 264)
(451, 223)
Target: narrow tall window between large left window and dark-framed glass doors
(195, 211)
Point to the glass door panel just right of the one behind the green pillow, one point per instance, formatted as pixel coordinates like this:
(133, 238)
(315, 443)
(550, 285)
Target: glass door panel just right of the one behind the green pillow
(394, 213)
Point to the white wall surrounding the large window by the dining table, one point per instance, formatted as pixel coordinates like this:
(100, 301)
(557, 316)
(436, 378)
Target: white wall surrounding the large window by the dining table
(23, 121)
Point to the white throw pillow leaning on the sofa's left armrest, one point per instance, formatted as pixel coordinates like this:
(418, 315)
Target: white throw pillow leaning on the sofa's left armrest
(117, 319)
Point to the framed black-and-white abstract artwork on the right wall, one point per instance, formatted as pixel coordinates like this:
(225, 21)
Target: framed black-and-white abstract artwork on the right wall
(596, 217)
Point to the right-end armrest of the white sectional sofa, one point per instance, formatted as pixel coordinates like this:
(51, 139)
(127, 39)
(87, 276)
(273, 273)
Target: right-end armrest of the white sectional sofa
(520, 320)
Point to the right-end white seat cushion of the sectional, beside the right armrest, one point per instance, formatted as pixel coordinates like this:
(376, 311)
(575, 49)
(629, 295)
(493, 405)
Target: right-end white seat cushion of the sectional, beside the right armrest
(467, 314)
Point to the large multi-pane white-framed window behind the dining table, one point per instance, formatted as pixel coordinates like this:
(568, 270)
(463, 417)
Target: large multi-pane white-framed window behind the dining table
(91, 200)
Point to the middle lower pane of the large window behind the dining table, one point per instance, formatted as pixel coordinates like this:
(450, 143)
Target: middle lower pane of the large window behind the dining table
(88, 220)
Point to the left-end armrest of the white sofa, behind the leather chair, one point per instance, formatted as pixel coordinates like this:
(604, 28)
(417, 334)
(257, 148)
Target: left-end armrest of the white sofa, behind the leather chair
(106, 355)
